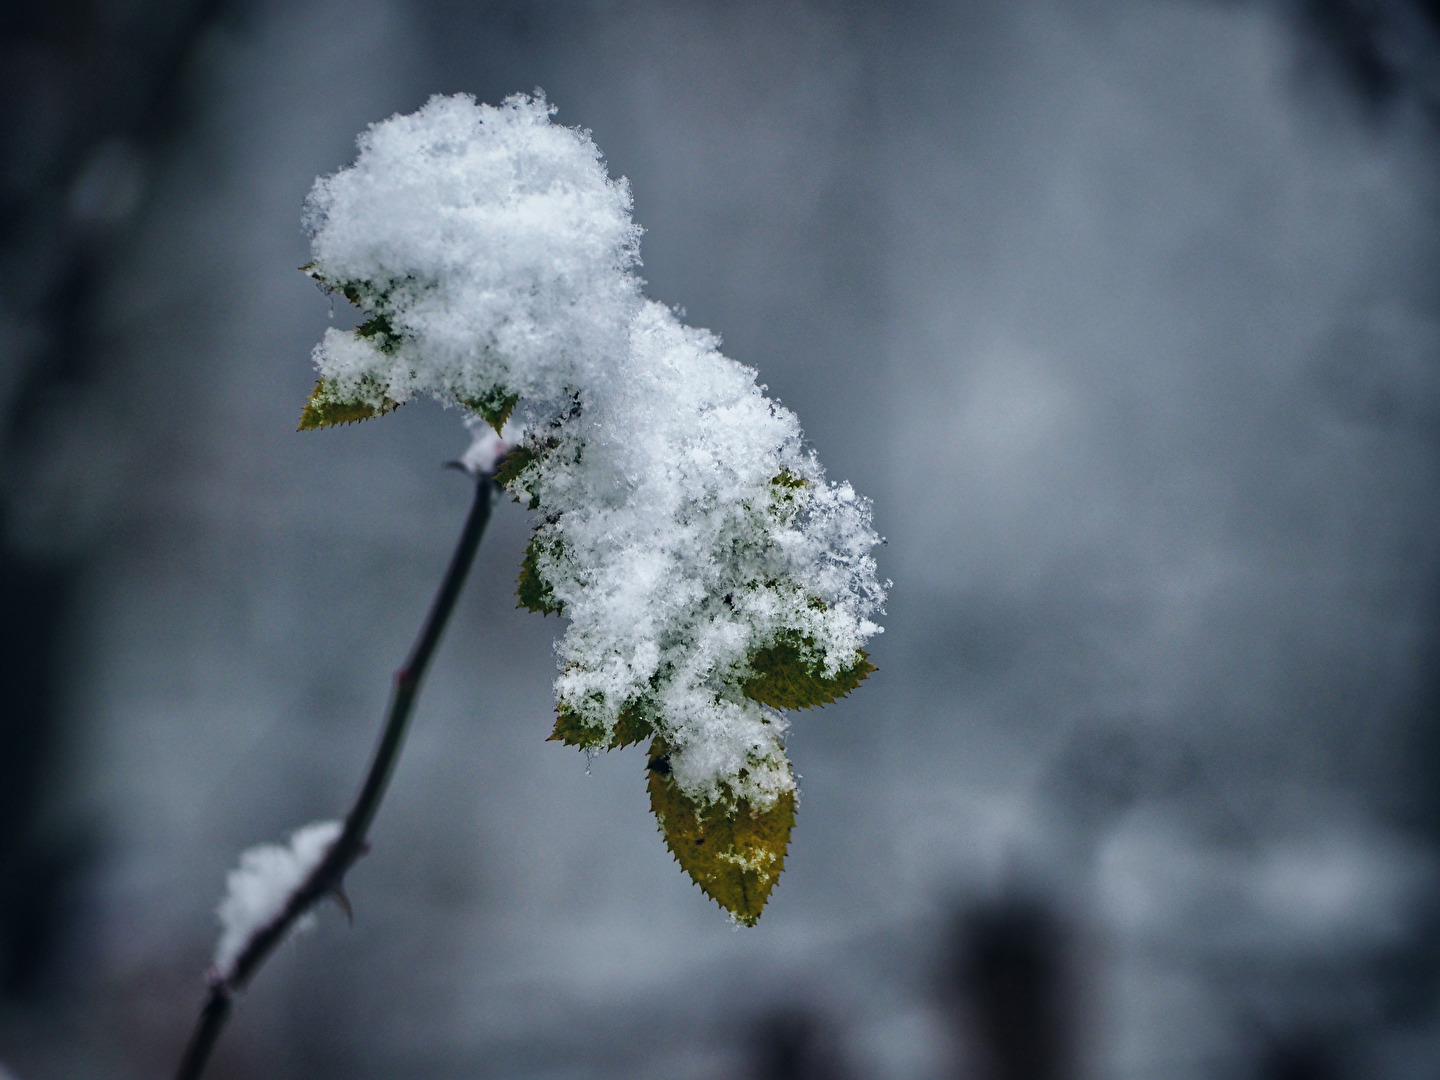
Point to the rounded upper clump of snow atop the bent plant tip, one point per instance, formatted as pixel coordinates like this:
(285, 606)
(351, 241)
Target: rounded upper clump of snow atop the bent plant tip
(499, 243)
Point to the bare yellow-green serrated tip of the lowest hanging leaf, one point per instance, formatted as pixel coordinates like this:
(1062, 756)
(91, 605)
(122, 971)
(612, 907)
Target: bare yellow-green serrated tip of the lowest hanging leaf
(732, 850)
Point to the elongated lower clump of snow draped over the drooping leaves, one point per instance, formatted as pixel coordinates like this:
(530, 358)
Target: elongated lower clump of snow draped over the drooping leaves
(679, 557)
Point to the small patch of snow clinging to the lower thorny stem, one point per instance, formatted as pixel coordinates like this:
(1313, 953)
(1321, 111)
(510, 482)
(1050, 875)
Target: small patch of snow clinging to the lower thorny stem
(258, 889)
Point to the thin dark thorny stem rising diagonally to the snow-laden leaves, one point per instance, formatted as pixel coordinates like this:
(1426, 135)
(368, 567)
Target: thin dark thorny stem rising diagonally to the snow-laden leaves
(328, 879)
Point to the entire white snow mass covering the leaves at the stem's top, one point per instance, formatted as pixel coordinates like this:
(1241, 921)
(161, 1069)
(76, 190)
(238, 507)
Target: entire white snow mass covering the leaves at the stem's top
(683, 526)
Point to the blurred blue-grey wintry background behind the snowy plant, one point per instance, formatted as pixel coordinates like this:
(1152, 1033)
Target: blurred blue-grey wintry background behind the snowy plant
(1127, 318)
